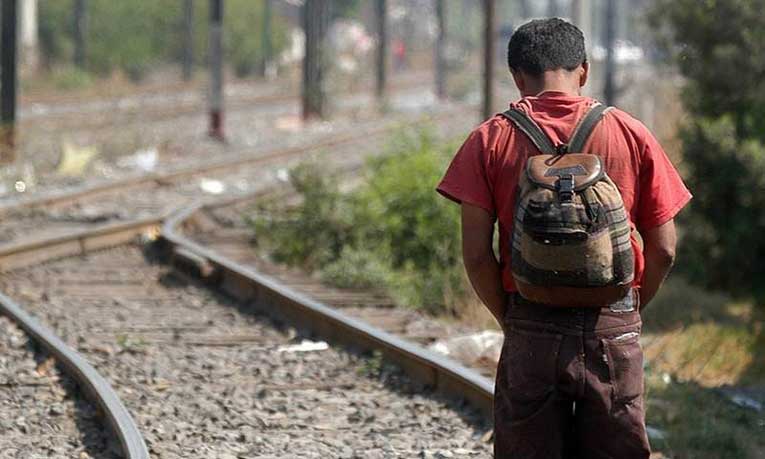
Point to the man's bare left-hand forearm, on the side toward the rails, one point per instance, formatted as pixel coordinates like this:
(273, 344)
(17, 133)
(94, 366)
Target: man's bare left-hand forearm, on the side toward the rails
(480, 262)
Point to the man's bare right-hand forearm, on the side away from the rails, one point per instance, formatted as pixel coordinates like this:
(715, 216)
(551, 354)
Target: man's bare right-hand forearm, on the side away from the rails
(659, 253)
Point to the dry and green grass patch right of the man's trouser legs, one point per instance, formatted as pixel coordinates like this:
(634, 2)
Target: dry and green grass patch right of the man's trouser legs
(695, 343)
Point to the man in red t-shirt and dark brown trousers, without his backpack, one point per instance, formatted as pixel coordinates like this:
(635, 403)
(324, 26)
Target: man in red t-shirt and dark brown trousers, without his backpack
(570, 379)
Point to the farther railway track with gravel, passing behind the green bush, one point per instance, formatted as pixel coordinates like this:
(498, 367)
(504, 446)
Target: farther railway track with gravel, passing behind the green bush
(150, 197)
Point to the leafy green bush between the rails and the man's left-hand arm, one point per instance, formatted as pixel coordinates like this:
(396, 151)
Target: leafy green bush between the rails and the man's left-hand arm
(392, 233)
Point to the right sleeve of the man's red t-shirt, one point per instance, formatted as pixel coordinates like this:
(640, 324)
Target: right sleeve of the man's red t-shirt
(662, 192)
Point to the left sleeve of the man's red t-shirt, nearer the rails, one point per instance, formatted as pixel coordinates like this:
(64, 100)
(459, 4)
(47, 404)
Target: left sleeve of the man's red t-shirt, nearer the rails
(466, 179)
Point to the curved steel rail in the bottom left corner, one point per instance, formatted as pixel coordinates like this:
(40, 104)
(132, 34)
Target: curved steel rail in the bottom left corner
(96, 387)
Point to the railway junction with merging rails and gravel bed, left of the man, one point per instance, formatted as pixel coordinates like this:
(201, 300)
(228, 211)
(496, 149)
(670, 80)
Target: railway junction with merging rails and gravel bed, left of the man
(134, 301)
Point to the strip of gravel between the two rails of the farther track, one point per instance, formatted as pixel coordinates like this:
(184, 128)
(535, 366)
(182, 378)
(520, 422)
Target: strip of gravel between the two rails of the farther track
(152, 199)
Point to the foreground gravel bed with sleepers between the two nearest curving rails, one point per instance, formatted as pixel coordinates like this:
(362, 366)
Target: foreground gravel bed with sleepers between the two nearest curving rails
(208, 377)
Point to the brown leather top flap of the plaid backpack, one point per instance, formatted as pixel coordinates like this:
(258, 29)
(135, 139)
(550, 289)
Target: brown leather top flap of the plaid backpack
(554, 172)
